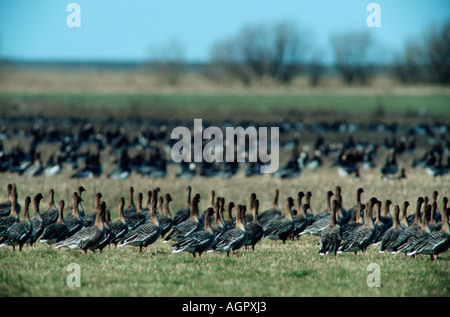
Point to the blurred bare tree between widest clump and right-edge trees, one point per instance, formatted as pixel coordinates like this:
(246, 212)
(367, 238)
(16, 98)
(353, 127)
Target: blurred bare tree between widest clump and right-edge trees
(351, 54)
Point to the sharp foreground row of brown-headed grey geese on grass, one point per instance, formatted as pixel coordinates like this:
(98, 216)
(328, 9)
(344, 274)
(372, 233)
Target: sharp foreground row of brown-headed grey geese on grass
(217, 230)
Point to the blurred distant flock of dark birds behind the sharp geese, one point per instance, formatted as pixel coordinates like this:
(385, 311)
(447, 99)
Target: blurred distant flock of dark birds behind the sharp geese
(81, 146)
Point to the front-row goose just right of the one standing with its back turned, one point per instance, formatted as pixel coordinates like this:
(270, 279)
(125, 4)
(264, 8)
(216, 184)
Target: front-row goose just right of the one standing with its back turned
(364, 235)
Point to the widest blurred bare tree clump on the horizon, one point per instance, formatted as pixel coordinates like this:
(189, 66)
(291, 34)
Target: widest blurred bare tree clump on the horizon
(276, 51)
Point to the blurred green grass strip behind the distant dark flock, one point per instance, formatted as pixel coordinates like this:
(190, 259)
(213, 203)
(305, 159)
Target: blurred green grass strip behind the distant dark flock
(248, 104)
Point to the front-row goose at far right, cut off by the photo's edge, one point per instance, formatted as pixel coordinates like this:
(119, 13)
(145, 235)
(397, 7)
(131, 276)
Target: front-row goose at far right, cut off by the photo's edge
(437, 242)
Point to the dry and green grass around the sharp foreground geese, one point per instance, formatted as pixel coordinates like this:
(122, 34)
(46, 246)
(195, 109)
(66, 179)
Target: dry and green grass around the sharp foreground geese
(293, 269)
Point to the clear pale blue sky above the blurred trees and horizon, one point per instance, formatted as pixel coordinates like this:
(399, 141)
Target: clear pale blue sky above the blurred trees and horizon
(127, 30)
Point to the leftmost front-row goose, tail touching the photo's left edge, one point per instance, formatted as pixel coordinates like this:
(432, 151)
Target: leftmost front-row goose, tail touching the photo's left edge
(20, 231)
